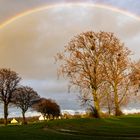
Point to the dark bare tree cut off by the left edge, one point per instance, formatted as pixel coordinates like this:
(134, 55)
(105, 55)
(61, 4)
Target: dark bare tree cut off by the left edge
(9, 81)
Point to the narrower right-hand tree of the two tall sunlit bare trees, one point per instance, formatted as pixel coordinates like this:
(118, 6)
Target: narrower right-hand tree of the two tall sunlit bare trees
(117, 71)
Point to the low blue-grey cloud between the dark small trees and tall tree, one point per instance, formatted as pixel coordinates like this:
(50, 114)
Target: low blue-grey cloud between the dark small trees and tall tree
(56, 90)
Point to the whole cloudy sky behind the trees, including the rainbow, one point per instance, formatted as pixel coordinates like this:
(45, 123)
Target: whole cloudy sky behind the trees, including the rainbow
(29, 42)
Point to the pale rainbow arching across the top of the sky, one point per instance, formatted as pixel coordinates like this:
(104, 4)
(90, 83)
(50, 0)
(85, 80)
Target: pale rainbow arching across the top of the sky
(67, 5)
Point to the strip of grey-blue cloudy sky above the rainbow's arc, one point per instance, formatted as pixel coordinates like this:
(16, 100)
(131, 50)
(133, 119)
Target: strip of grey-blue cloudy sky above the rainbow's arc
(10, 8)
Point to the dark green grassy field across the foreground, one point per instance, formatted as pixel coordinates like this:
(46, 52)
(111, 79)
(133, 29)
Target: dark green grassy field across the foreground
(116, 128)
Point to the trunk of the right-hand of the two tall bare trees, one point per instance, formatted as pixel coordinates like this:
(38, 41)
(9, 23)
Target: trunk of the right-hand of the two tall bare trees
(117, 107)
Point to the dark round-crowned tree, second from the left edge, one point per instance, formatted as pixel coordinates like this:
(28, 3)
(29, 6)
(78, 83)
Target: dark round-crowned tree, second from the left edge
(23, 98)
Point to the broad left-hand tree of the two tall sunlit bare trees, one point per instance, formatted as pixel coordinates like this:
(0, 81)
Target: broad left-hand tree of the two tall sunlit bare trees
(83, 59)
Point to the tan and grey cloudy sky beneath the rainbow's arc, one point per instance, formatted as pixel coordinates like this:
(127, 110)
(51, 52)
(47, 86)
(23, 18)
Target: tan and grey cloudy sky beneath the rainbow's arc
(28, 45)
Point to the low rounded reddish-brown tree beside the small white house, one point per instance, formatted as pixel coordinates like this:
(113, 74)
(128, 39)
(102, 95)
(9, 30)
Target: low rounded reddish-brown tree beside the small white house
(47, 108)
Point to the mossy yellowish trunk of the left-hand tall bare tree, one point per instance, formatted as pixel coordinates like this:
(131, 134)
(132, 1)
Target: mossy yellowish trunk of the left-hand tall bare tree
(96, 105)
